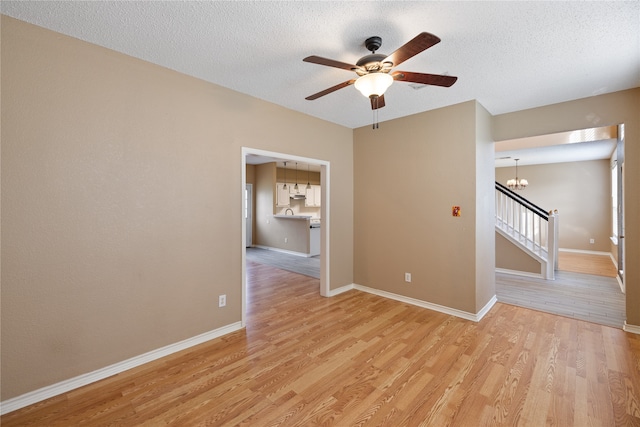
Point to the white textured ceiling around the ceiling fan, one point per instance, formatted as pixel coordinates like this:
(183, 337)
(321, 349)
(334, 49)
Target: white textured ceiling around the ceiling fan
(508, 55)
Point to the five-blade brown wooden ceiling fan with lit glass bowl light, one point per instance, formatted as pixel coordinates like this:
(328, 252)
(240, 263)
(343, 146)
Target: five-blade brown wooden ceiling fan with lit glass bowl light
(374, 70)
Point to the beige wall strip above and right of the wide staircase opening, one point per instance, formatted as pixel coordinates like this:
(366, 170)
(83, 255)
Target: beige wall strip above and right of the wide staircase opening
(602, 110)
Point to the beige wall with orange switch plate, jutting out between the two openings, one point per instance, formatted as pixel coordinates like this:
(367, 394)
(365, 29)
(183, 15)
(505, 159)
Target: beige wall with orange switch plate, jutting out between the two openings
(409, 174)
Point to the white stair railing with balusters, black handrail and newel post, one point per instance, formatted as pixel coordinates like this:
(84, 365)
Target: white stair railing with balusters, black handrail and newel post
(529, 227)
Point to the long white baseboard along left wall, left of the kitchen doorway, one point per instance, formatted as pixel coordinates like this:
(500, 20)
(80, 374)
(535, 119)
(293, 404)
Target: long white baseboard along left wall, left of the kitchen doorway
(82, 380)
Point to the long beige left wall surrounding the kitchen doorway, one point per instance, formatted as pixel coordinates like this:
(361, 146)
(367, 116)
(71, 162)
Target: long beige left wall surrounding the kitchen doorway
(121, 203)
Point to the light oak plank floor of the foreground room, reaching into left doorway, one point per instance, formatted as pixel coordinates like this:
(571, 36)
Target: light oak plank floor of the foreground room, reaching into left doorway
(360, 359)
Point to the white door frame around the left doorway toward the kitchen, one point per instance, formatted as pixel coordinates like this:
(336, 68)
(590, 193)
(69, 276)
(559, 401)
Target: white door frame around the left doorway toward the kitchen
(325, 246)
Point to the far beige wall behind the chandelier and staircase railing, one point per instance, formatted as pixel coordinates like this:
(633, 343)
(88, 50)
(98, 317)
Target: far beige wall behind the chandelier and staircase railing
(580, 191)
